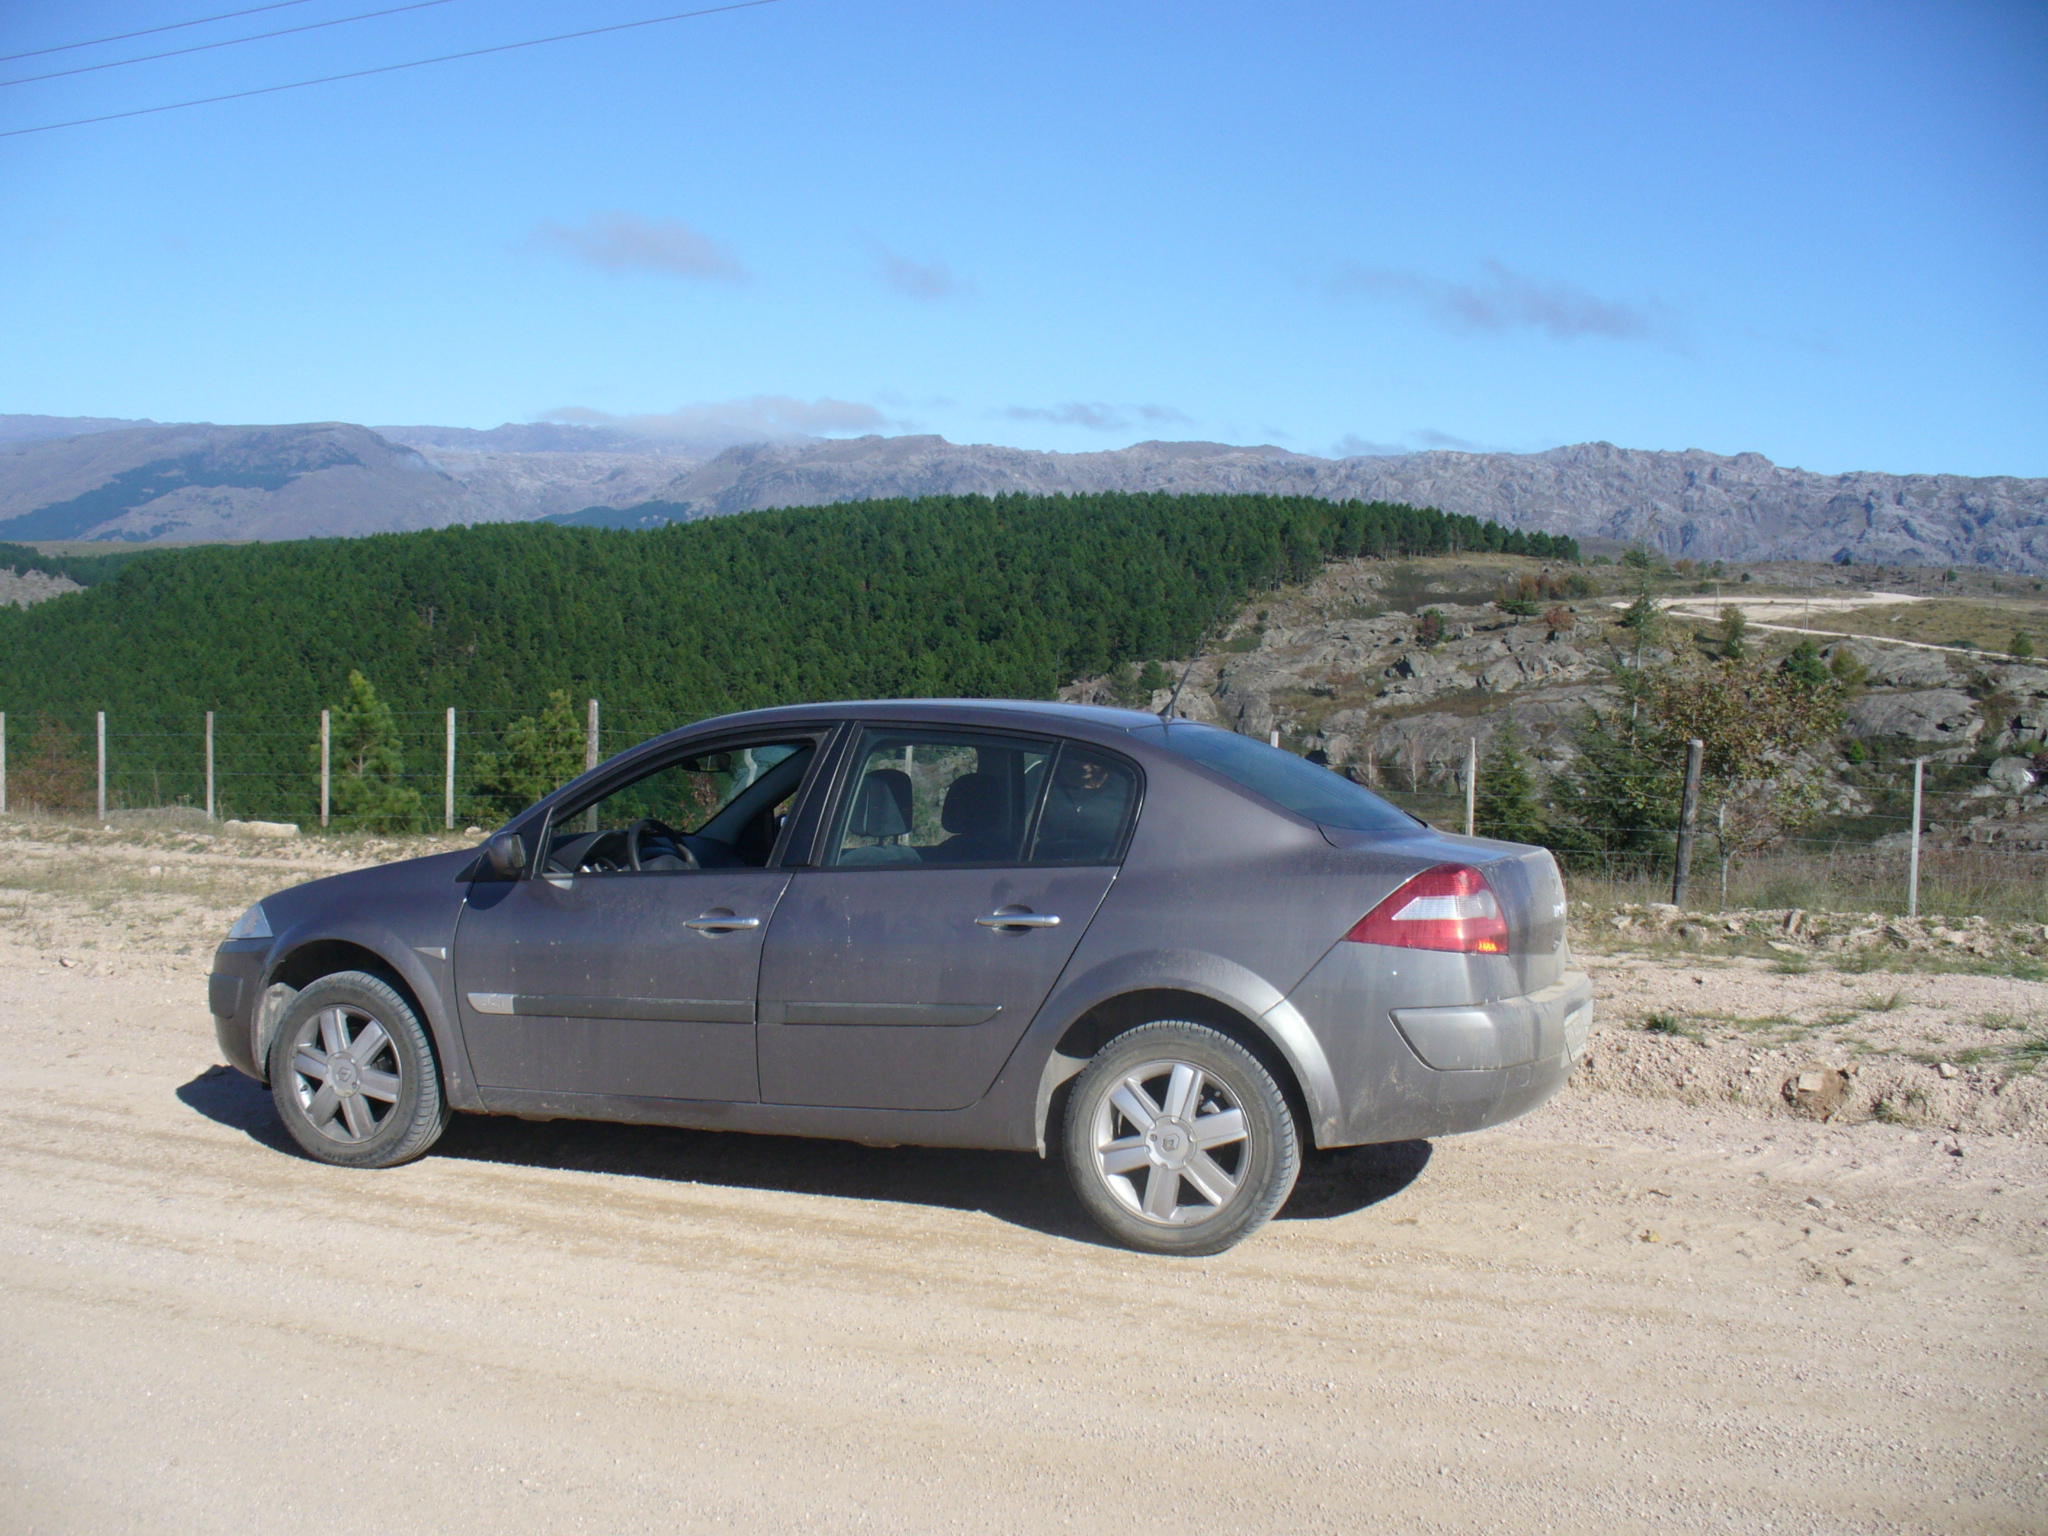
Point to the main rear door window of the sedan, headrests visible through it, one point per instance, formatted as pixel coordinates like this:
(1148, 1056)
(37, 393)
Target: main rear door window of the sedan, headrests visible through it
(923, 798)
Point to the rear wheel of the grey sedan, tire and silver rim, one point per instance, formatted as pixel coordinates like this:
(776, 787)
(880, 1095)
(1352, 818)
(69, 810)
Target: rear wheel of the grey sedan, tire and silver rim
(1179, 1140)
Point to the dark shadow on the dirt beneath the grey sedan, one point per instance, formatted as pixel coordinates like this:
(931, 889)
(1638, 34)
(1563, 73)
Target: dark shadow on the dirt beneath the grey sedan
(1017, 1189)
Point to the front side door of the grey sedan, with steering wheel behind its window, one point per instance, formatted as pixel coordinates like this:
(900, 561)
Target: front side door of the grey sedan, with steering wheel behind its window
(628, 959)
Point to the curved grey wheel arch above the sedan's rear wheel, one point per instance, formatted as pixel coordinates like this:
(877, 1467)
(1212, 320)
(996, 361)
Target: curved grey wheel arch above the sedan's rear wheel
(1197, 972)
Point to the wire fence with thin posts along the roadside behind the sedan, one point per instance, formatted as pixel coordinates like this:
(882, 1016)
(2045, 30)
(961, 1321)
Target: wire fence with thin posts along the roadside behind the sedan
(261, 767)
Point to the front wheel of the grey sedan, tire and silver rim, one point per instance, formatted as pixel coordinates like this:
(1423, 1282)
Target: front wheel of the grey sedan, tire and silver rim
(374, 1113)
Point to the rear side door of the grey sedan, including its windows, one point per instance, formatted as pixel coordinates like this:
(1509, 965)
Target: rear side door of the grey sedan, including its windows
(955, 886)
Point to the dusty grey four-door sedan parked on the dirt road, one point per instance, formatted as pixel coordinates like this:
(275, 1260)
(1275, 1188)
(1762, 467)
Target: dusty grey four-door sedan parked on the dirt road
(1170, 951)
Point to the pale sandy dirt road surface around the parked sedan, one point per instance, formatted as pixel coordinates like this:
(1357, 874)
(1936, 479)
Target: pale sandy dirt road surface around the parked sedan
(1627, 1312)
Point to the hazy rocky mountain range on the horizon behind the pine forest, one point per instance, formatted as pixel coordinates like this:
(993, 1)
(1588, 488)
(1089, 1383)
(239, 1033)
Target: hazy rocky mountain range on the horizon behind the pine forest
(144, 482)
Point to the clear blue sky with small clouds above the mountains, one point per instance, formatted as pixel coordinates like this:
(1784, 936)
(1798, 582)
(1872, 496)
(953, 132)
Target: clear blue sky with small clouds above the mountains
(1807, 230)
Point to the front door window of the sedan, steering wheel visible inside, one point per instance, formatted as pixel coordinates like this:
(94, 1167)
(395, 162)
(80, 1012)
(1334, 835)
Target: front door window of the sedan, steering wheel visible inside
(710, 810)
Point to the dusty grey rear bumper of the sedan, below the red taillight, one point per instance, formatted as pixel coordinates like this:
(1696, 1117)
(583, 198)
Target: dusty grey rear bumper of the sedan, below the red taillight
(1447, 1068)
